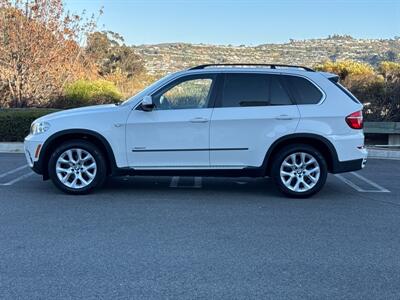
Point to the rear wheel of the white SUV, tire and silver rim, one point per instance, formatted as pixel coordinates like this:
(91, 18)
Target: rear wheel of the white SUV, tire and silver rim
(299, 171)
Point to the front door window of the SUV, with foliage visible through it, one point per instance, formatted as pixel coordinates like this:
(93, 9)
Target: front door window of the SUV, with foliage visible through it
(186, 94)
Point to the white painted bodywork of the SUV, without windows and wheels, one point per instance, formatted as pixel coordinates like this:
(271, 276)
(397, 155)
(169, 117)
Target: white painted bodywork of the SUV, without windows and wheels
(253, 128)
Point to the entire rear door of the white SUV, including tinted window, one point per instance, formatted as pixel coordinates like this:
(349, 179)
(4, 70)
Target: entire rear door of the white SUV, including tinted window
(252, 111)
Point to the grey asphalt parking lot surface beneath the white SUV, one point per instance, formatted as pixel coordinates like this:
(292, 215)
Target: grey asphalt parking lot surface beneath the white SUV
(174, 237)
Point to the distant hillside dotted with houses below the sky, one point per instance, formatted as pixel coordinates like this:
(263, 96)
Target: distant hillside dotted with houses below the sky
(163, 58)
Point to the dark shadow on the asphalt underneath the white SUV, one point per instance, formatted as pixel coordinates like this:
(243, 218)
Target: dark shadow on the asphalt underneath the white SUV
(212, 188)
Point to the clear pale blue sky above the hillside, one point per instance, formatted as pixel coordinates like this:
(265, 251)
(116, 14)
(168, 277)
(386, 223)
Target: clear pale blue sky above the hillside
(238, 22)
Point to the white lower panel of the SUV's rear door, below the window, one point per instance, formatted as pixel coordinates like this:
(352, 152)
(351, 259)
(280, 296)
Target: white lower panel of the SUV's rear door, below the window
(247, 133)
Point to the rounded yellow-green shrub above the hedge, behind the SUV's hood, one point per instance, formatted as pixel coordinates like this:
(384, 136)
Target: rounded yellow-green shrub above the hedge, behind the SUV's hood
(84, 93)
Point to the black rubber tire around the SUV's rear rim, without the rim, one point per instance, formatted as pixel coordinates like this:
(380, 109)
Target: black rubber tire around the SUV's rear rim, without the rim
(278, 160)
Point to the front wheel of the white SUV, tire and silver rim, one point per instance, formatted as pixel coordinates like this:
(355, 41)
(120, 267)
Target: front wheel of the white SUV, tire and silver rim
(77, 167)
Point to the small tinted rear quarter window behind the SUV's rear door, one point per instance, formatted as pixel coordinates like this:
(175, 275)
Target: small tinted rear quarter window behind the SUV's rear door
(303, 90)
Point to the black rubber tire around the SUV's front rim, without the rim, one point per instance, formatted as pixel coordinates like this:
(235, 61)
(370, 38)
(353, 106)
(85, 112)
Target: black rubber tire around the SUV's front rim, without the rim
(99, 177)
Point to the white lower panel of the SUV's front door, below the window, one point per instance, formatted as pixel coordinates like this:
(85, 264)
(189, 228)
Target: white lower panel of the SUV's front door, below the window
(168, 138)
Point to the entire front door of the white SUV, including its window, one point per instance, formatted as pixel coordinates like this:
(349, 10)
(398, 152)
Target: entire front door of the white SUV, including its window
(175, 134)
